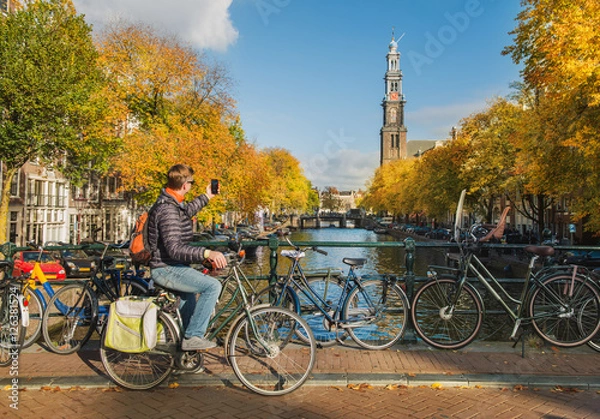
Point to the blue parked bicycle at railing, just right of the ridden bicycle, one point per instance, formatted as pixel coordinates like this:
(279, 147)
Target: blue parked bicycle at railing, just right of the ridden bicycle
(372, 311)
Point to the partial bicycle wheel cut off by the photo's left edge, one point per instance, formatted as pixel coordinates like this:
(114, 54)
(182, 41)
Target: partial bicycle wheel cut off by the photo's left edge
(12, 332)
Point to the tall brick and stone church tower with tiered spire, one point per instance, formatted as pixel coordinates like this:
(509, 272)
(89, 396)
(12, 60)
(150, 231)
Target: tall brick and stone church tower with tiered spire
(393, 132)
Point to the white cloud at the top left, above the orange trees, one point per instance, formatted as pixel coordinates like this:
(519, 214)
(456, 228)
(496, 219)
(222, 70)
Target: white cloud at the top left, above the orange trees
(206, 24)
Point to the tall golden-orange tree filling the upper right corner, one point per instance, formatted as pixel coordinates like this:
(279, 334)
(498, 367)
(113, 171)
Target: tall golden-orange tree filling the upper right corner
(557, 43)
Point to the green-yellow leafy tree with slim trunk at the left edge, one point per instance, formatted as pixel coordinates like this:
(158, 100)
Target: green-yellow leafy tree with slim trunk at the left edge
(50, 106)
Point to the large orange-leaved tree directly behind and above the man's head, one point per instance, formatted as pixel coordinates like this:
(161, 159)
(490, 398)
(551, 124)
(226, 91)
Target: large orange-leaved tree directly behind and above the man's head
(172, 106)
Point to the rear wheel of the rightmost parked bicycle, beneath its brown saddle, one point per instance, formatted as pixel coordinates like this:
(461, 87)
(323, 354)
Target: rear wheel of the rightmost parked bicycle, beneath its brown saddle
(565, 310)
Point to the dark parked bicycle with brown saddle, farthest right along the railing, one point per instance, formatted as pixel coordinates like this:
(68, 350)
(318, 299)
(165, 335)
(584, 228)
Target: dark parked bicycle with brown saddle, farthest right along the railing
(561, 303)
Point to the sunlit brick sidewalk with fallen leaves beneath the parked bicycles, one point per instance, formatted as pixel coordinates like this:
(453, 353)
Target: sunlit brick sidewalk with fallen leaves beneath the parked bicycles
(485, 364)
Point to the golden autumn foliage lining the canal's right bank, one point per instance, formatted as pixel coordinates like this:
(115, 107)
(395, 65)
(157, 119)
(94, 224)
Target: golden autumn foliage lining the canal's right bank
(537, 147)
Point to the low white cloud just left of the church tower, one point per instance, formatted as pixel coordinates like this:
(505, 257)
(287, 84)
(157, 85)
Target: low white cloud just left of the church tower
(346, 169)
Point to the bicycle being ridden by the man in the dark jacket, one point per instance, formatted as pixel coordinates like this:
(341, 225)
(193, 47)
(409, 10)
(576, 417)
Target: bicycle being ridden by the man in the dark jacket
(261, 345)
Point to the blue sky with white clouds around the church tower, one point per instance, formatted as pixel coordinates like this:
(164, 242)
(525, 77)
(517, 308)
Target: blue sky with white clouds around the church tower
(308, 74)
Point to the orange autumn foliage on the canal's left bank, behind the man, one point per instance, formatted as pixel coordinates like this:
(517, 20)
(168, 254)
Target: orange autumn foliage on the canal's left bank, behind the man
(172, 106)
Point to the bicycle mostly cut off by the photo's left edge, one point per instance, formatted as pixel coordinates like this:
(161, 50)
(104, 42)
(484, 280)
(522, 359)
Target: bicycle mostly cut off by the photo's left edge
(14, 316)
